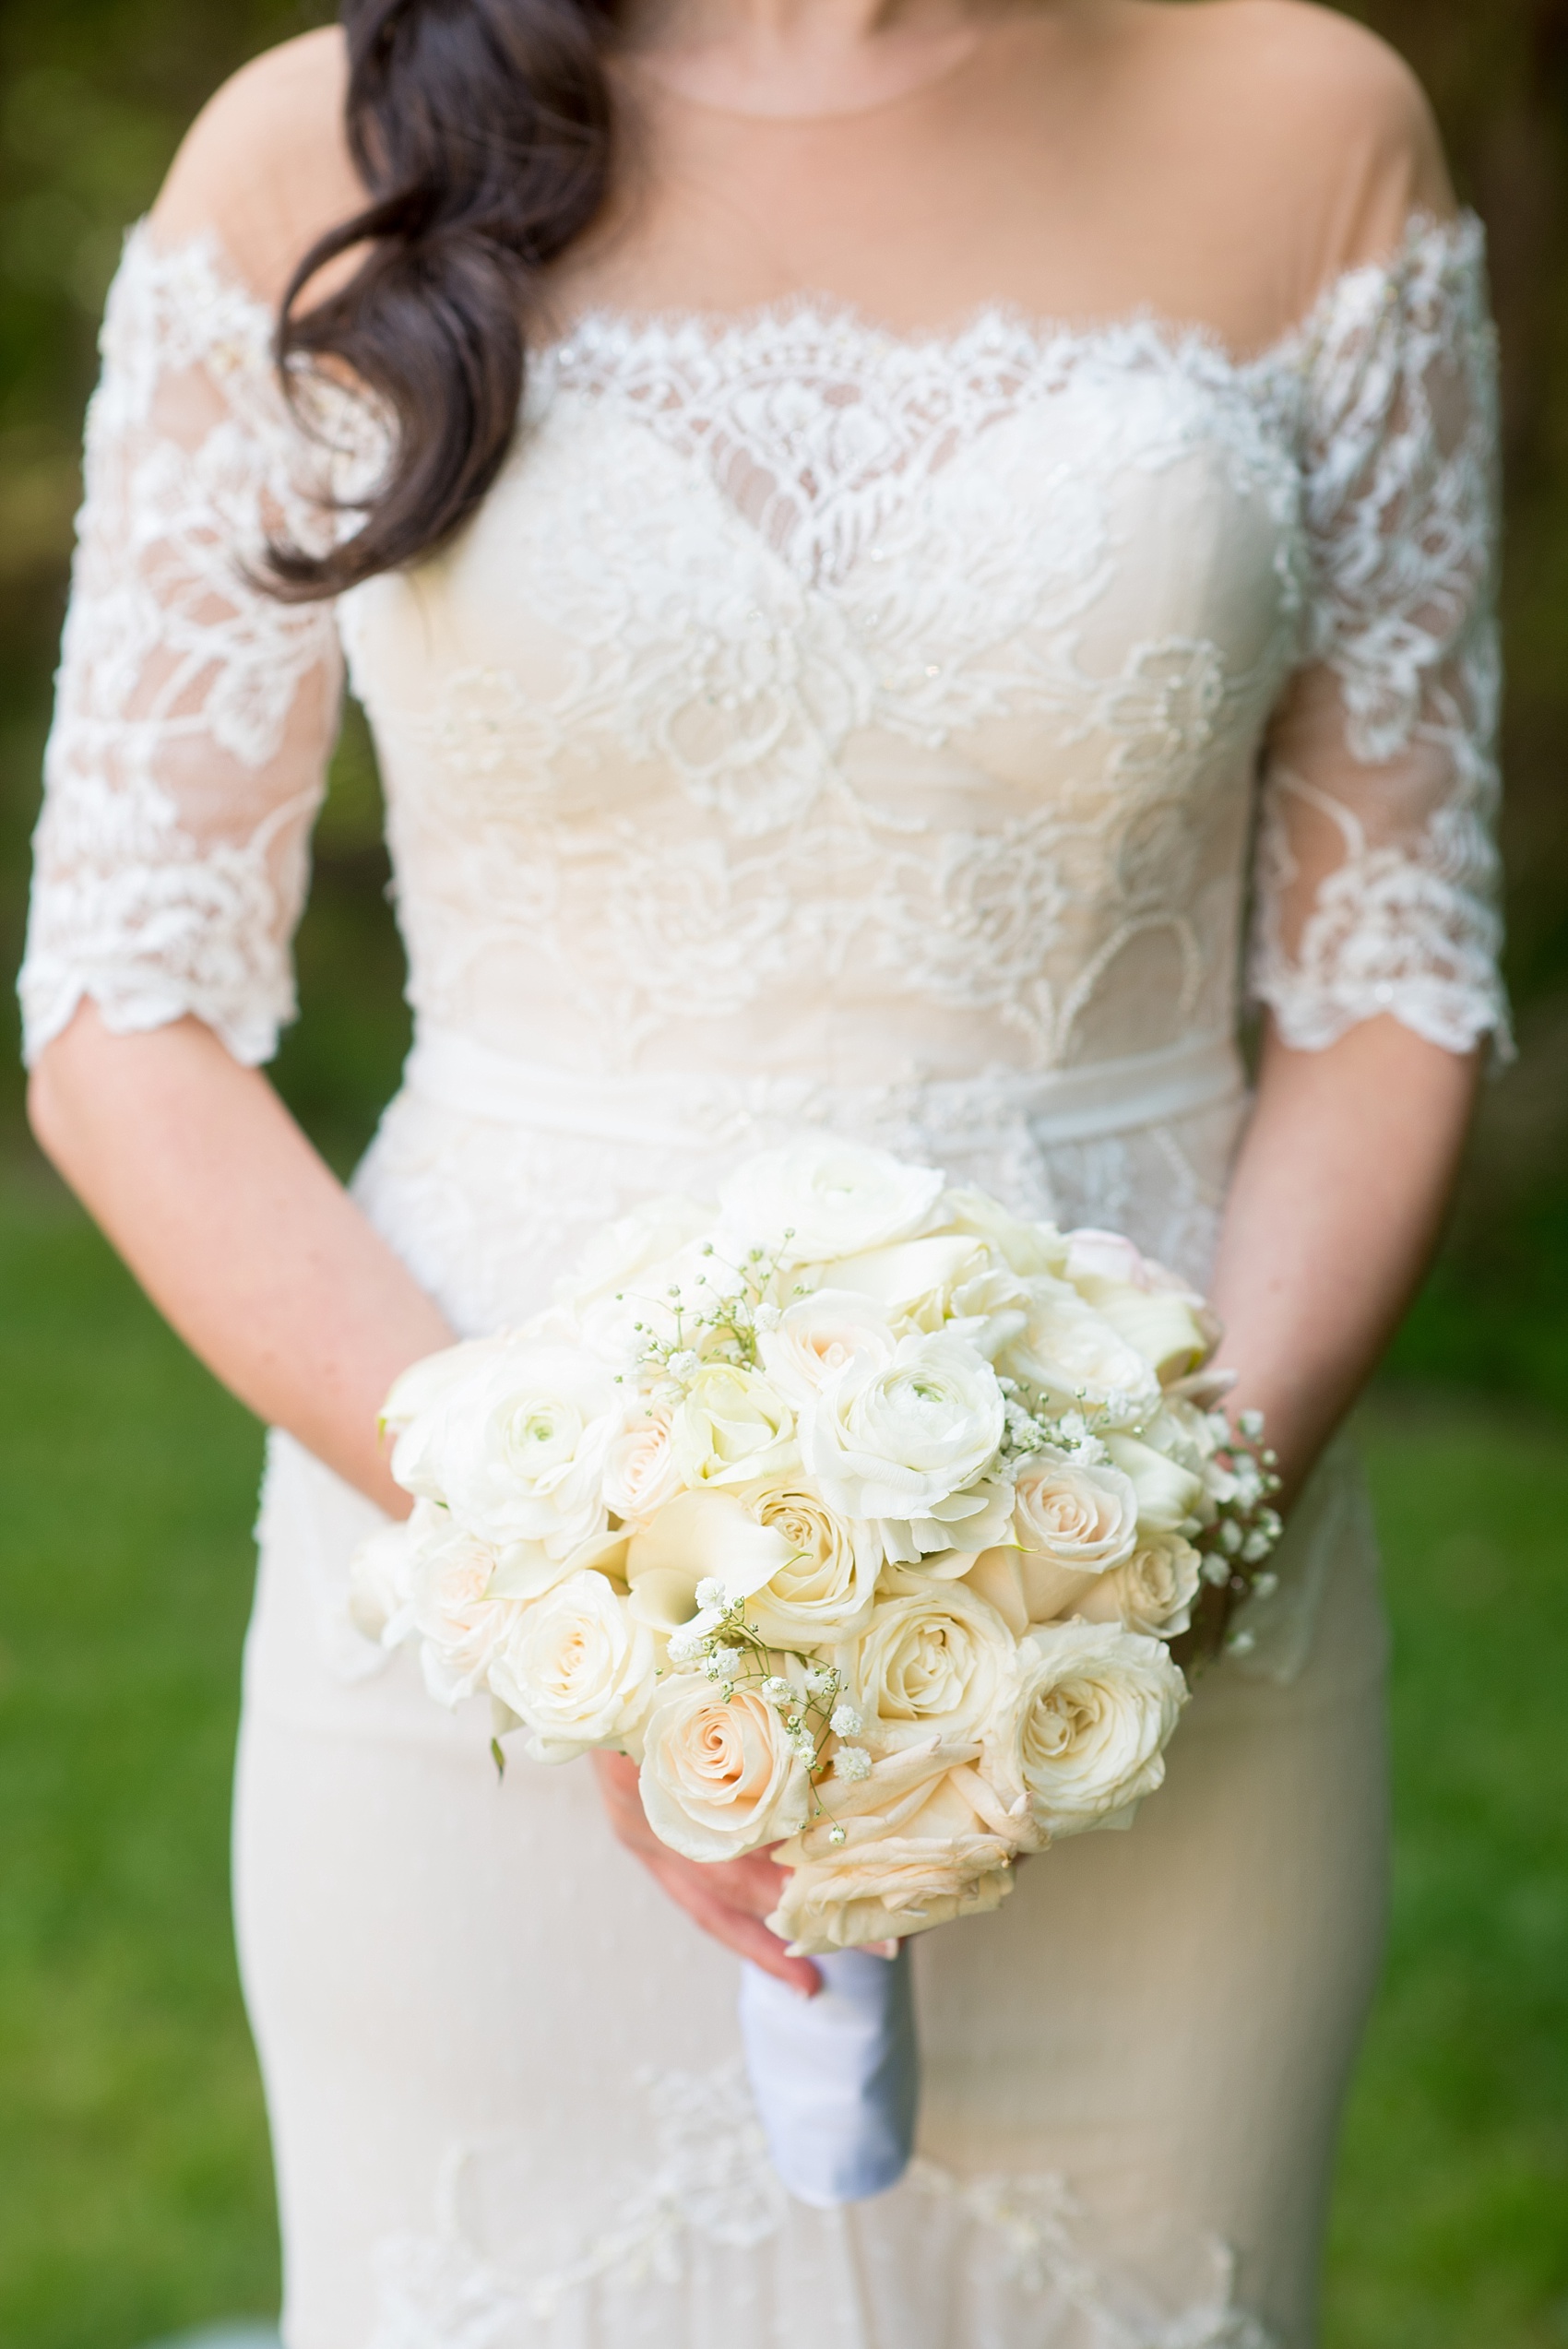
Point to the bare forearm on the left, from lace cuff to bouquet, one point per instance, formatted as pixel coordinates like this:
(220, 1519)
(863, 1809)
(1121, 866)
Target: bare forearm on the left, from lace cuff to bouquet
(239, 1232)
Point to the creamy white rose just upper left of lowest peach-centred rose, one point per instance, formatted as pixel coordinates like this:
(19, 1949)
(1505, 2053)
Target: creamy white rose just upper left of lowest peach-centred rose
(577, 1669)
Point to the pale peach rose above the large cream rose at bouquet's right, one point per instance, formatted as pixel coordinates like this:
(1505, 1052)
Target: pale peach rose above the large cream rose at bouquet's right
(1071, 1528)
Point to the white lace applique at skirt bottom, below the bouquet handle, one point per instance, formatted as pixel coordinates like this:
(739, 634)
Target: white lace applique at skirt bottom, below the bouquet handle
(711, 2223)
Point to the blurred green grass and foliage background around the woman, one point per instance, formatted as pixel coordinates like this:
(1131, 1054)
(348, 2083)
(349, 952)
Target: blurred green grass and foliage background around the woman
(133, 2146)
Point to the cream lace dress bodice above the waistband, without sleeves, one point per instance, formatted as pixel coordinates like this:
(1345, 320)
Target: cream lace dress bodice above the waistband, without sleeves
(815, 704)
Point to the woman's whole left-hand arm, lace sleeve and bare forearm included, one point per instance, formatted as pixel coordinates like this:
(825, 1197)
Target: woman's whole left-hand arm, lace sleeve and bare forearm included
(185, 769)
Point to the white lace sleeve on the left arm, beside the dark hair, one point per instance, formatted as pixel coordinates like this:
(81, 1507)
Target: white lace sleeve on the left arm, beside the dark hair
(194, 713)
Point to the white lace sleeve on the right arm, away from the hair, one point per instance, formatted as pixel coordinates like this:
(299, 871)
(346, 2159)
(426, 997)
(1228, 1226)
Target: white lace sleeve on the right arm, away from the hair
(1376, 863)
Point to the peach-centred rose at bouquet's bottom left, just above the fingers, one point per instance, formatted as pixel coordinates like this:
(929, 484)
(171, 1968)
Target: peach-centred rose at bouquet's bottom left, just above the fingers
(721, 1775)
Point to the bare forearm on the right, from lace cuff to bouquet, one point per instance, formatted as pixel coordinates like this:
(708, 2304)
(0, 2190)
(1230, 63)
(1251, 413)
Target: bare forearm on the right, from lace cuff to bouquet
(1332, 1223)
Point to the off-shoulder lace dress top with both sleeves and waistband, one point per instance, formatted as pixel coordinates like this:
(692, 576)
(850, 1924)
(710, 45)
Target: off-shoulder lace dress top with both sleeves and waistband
(815, 722)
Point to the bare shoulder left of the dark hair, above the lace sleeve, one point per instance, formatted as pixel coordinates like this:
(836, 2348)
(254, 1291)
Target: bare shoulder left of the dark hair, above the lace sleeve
(264, 168)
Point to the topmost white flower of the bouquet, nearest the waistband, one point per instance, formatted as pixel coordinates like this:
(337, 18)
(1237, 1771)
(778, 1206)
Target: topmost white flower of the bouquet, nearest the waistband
(836, 1199)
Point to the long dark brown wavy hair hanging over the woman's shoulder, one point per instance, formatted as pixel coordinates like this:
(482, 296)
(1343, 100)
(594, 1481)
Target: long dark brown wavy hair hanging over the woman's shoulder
(481, 130)
